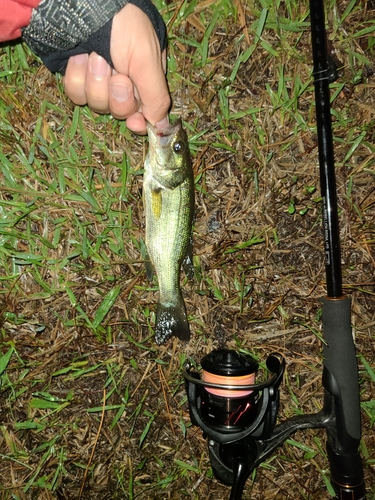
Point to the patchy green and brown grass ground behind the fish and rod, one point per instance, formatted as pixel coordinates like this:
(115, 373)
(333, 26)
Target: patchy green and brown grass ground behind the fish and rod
(91, 408)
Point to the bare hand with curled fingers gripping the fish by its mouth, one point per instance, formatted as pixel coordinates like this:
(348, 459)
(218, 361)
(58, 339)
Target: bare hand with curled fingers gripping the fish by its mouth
(136, 90)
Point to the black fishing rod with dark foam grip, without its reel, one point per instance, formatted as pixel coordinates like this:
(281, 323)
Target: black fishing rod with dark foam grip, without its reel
(340, 371)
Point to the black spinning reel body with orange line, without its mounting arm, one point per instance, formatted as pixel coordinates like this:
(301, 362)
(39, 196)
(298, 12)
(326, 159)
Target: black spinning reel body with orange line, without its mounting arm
(234, 412)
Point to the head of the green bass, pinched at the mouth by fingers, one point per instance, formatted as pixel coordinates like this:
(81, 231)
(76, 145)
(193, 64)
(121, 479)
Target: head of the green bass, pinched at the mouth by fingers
(168, 156)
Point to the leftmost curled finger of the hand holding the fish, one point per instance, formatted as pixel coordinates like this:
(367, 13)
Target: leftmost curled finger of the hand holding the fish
(75, 78)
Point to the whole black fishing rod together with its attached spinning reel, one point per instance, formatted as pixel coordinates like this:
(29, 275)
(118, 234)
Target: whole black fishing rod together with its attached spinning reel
(237, 414)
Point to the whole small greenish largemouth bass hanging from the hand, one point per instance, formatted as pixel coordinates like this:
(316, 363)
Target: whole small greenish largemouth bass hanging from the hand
(168, 191)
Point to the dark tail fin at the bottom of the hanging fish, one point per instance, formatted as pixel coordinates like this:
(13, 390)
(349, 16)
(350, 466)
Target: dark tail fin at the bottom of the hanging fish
(171, 321)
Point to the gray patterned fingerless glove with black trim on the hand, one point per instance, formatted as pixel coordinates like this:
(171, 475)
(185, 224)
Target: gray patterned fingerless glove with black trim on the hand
(60, 29)
